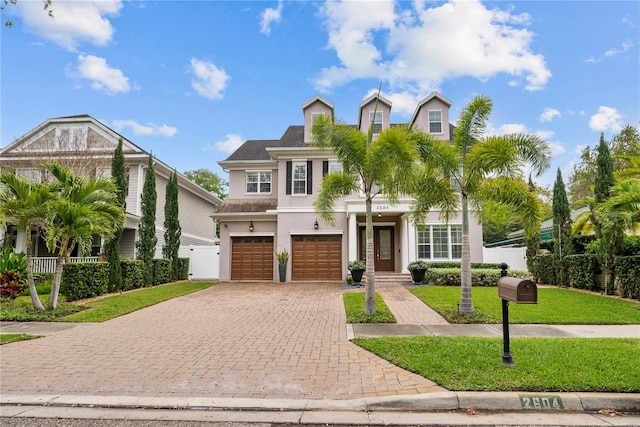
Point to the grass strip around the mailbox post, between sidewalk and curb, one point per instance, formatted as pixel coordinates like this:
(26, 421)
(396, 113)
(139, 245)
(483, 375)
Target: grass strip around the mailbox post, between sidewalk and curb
(543, 364)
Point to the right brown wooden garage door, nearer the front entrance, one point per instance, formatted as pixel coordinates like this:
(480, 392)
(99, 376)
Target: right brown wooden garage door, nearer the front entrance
(316, 257)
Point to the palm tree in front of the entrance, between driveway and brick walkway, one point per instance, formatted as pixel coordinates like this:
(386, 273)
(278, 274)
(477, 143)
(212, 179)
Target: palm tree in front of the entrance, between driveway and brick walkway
(381, 166)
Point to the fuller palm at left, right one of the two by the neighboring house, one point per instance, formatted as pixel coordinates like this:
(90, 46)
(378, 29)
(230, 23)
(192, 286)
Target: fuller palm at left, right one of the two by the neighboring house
(83, 208)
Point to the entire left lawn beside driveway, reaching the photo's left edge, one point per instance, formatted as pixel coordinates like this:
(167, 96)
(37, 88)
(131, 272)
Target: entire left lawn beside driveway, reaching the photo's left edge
(21, 309)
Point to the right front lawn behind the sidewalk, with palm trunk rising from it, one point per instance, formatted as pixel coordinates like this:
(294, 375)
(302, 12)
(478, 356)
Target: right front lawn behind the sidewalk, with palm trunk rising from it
(555, 306)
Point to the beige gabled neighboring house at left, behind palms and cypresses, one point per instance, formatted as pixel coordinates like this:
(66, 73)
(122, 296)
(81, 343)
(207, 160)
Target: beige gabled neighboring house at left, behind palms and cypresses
(86, 146)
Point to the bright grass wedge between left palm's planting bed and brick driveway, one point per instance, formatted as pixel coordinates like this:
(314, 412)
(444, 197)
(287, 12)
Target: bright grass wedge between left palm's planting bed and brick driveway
(121, 304)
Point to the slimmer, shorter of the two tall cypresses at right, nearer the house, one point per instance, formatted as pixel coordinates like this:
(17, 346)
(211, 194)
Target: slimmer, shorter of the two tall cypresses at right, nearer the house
(561, 231)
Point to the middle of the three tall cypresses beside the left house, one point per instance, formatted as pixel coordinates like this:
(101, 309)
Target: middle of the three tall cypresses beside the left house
(146, 244)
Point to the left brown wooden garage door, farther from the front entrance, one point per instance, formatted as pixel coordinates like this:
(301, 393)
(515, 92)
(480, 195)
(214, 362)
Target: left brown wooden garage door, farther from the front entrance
(252, 258)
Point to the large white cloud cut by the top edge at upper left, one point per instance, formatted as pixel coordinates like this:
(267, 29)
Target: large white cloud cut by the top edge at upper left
(73, 22)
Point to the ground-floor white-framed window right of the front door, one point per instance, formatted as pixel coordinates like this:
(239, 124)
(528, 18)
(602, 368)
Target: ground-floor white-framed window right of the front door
(439, 242)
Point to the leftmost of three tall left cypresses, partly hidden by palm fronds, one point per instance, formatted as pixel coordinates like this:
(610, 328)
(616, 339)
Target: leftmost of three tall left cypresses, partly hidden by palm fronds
(112, 246)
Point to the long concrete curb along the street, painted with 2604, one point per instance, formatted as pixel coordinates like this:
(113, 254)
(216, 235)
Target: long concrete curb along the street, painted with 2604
(432, 402)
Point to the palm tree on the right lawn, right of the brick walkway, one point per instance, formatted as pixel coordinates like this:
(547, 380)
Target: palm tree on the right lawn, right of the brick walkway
(477, 168)
